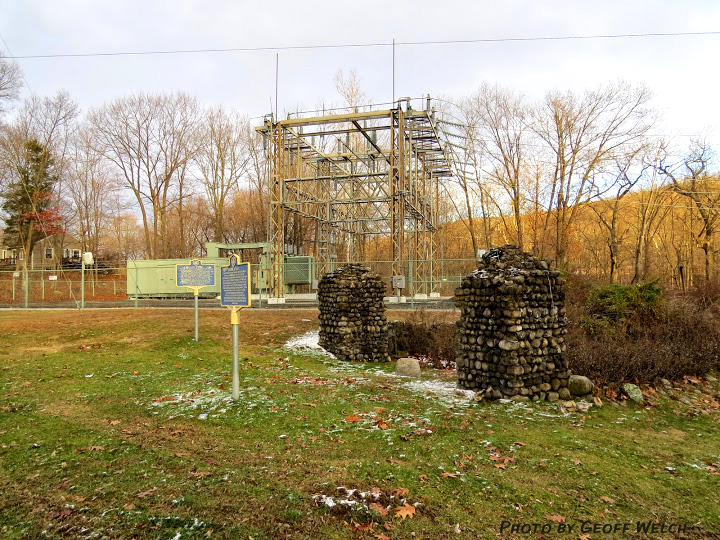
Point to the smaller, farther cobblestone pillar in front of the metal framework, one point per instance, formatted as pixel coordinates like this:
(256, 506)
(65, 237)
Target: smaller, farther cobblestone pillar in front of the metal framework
(353, 325)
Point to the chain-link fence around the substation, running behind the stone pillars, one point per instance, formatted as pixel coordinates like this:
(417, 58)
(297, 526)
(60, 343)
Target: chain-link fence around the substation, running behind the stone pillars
(153, 284)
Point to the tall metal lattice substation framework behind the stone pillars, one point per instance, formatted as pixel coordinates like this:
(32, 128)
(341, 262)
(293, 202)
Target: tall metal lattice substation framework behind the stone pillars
(362, 173)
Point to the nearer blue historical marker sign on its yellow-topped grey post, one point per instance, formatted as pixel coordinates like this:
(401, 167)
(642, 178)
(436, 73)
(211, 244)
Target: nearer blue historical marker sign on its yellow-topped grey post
(235, 294)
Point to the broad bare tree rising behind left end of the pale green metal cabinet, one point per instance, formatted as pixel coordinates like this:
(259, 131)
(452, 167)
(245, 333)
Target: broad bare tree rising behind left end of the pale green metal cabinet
(150, 139)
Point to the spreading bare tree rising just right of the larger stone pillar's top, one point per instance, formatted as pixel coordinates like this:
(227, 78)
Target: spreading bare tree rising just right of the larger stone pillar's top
(583, 135)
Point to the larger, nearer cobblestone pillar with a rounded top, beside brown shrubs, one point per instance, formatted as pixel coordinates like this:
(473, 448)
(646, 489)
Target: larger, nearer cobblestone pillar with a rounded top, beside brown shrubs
(511, 332)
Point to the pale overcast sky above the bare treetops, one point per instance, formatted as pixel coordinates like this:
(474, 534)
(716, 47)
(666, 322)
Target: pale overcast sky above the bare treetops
(681, 71)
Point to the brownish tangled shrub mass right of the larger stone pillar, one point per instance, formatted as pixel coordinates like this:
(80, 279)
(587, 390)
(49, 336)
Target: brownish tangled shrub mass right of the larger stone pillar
(636, 333)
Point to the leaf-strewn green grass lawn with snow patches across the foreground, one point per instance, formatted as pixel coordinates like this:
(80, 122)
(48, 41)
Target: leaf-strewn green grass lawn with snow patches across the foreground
(116, 424)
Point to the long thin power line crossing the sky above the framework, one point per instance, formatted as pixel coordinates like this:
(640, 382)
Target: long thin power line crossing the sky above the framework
(368, 45)
